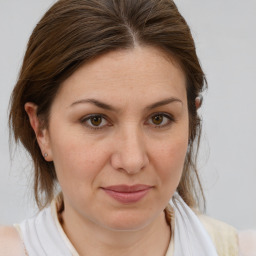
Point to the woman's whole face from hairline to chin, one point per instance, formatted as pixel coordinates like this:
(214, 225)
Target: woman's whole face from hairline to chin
(118, 134)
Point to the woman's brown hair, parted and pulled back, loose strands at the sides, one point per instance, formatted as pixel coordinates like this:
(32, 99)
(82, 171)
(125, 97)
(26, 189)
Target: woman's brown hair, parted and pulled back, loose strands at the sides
(73, 32)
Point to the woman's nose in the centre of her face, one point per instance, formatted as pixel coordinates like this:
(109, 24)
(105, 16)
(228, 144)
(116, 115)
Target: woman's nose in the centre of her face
(130, 153)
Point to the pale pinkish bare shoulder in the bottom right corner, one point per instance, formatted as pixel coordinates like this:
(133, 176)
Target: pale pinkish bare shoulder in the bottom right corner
(247, 242)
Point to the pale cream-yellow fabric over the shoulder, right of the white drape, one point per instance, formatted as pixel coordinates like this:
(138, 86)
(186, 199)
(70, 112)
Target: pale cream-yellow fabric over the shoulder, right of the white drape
(224, 236)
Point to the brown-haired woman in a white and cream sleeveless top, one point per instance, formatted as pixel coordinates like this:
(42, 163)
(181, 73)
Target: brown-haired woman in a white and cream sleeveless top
(106, 105)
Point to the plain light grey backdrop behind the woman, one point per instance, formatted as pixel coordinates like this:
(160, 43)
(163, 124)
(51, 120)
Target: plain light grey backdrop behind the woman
(225, 35)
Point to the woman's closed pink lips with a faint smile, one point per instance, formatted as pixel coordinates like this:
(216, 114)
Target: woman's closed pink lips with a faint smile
(127, 194)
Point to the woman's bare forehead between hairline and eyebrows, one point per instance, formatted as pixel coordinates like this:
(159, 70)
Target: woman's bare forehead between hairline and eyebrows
(126, 74)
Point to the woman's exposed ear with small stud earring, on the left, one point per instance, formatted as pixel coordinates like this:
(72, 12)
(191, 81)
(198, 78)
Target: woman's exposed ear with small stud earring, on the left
(42, 134)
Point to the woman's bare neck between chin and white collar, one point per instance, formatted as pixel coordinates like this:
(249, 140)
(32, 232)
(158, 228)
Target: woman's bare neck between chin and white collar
(91, 239)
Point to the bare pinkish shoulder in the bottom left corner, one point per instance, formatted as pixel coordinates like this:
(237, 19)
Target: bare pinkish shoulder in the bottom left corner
(10, 242)
